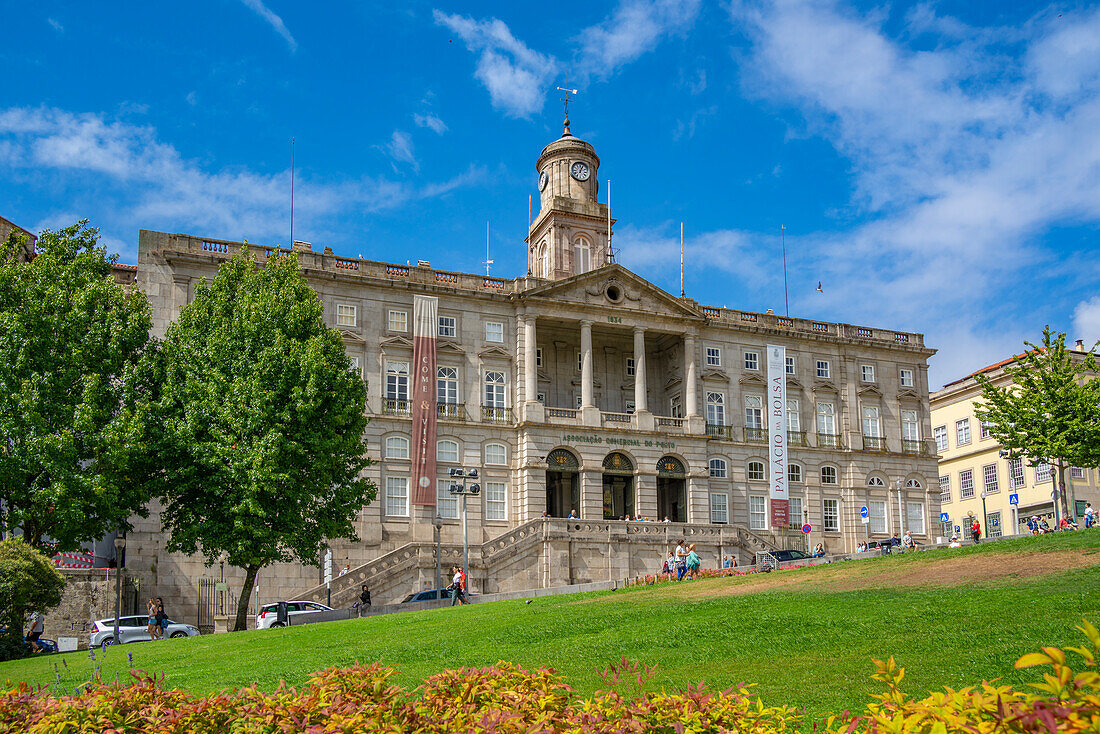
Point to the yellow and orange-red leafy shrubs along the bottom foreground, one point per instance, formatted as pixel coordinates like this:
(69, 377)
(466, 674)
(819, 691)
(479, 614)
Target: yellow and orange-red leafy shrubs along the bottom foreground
(505, 698)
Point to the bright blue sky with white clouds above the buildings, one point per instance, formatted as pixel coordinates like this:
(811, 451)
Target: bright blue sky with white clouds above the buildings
(937, 166)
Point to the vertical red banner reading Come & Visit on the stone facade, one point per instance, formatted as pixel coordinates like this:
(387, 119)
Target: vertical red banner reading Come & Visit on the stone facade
(425, 327)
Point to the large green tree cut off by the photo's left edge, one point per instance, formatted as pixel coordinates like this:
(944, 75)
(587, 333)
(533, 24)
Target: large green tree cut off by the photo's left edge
(70, 341)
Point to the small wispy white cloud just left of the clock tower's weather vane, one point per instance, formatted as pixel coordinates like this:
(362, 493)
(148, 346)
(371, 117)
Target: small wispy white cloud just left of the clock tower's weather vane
(514, 75)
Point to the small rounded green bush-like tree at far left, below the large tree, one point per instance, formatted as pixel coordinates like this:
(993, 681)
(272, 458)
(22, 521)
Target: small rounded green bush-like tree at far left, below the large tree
(29, 583)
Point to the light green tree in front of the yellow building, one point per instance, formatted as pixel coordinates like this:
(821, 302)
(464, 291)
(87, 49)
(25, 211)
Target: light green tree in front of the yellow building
(1050, 411)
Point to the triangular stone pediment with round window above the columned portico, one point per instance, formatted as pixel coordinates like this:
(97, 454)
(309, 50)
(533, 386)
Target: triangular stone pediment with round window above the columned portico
(631, 291)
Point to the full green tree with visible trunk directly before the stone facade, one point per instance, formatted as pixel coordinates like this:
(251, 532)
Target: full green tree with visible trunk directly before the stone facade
(258, 423)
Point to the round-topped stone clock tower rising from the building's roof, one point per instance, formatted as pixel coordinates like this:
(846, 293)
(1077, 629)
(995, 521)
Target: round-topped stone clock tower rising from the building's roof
(570, 235)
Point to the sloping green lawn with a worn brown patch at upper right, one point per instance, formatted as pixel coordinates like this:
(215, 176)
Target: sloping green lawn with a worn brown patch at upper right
(806, 644)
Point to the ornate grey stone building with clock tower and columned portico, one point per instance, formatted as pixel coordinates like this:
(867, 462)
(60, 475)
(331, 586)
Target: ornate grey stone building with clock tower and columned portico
(584, 389)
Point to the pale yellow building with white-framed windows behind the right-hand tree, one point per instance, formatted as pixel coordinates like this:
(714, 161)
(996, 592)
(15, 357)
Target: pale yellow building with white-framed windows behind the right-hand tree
(977, 481)
